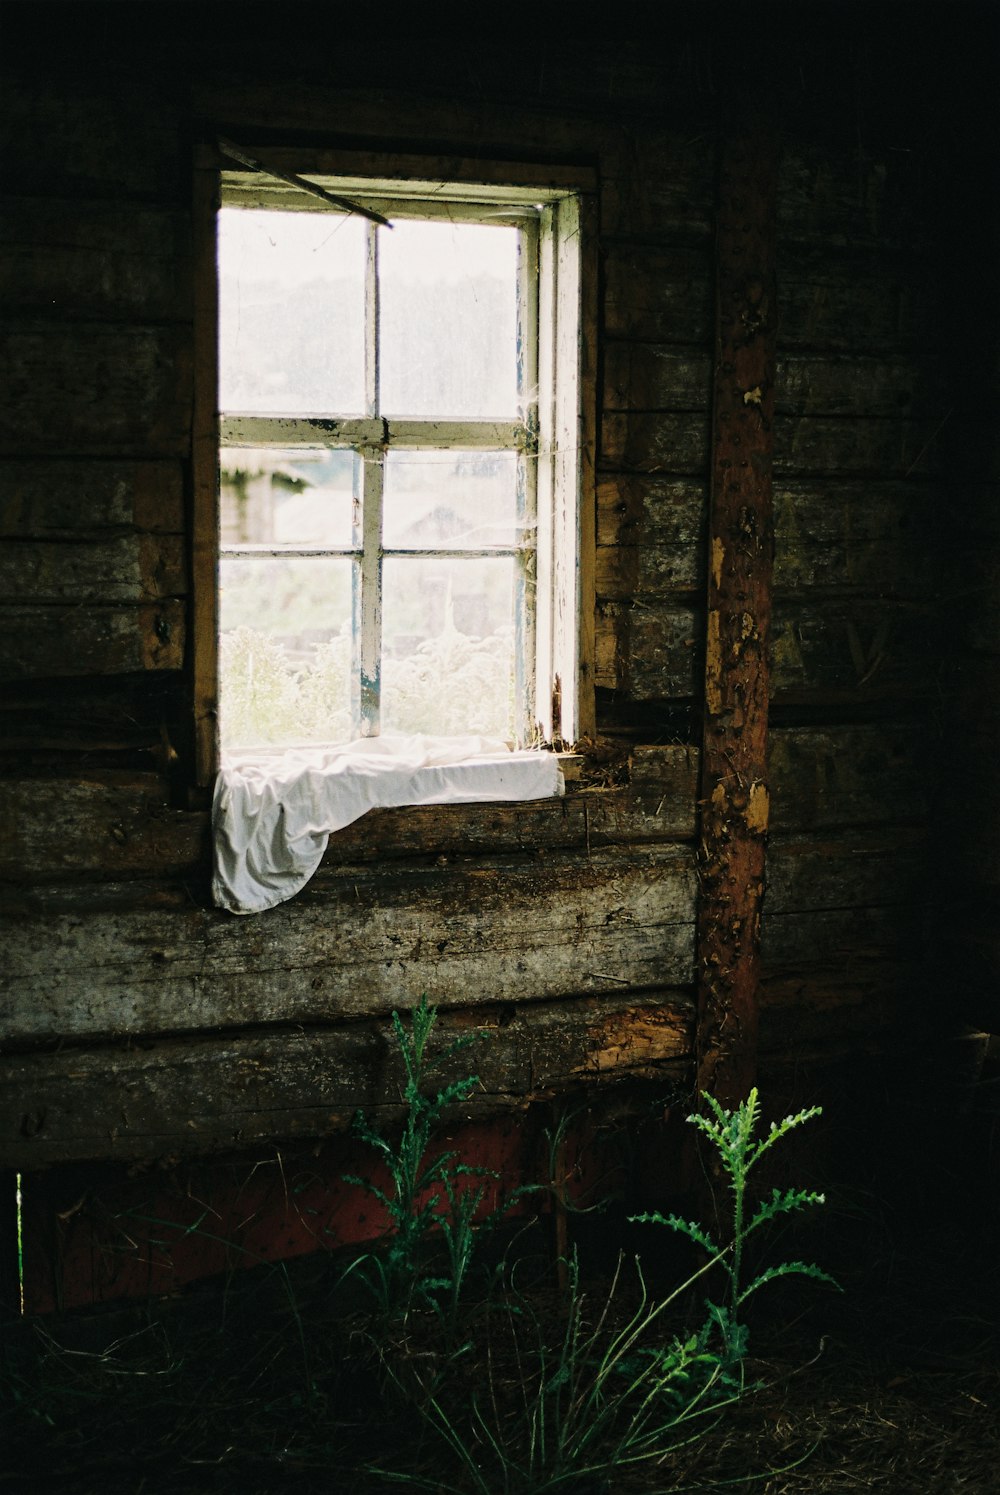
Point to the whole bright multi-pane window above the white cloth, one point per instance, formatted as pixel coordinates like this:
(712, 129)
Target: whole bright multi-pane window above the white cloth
(401, 433)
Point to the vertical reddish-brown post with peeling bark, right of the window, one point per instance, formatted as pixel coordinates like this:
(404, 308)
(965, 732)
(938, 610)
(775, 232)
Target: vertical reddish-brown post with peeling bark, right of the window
(735, 792)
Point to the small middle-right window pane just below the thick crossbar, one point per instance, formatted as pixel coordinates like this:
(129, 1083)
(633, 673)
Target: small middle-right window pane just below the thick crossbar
(451, 500)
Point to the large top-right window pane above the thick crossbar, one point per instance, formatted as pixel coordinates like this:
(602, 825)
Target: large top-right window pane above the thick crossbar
(449, 319)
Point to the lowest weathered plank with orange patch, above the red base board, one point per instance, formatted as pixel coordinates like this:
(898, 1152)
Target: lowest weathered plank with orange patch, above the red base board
(197, 1097)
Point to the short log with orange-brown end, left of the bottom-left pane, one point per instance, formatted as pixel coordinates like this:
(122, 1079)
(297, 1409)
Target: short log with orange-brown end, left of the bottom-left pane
(72, 641)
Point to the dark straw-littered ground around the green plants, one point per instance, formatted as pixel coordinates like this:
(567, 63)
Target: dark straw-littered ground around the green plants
(264, 1385)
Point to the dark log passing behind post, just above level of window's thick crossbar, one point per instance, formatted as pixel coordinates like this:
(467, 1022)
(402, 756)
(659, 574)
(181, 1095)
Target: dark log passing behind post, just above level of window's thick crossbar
(654, 376)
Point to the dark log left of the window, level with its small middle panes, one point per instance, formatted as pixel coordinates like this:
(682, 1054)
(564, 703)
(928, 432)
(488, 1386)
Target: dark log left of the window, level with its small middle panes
(44, 500)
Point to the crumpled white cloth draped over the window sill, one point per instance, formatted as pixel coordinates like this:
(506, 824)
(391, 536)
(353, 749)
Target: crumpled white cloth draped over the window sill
(274, 811)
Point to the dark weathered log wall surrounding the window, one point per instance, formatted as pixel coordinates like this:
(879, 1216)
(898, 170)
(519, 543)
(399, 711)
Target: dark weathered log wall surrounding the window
(141, 1023)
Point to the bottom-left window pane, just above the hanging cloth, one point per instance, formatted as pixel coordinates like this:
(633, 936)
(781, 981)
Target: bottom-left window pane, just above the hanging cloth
(285, 651)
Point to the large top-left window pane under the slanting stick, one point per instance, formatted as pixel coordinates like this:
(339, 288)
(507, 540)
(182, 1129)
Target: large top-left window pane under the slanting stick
(291, 313)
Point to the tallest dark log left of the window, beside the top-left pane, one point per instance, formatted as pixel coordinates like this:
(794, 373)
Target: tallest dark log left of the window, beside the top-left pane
(96, 391)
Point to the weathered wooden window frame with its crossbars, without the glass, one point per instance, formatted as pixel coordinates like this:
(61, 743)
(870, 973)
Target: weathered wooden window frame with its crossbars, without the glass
(555, 431)
